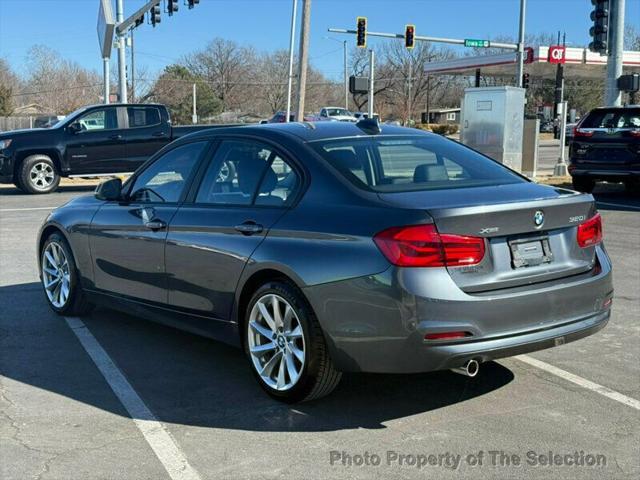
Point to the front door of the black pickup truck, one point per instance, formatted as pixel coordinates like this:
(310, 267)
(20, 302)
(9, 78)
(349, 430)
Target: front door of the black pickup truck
(95, 142)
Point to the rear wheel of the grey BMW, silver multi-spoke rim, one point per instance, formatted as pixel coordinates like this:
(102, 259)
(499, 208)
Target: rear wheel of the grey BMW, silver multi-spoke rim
(285, 345)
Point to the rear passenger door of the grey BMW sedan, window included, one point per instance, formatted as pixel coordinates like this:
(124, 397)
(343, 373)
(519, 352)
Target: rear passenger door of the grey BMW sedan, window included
(213, 235)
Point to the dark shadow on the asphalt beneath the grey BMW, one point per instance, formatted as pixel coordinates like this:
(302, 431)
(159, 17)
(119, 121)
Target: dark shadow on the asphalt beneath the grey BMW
(189, 380)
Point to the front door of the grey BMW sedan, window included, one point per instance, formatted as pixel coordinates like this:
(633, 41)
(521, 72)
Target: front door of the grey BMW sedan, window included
(127, 238)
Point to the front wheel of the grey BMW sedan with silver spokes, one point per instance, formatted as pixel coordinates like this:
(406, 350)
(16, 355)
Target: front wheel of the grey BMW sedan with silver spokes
(60, 278)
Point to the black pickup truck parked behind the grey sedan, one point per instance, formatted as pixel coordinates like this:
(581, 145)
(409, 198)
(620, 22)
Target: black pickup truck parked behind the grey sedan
(92, 141)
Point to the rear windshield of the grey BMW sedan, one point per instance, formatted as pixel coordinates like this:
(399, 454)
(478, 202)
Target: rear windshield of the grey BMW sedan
(388, 164)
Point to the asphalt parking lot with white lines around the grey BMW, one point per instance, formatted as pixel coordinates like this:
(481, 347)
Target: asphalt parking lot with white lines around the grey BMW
(205, 417)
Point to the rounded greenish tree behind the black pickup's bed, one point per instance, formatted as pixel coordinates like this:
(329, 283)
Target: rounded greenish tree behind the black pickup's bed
(174, 88)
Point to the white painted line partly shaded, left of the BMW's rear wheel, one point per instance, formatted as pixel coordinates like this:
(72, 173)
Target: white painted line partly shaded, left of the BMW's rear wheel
(153, 431)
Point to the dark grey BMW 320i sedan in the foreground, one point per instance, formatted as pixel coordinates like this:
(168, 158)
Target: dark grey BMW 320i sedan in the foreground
(336, 247)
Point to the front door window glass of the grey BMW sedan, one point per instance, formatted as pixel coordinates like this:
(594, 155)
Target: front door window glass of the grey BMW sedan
(166, 178)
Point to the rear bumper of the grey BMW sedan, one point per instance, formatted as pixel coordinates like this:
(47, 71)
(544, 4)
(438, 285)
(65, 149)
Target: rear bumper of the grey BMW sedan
(378, 323)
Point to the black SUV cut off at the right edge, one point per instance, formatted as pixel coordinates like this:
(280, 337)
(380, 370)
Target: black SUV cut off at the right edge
(606, 146)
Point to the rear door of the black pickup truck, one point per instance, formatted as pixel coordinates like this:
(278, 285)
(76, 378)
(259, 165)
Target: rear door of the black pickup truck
(146, 133)
